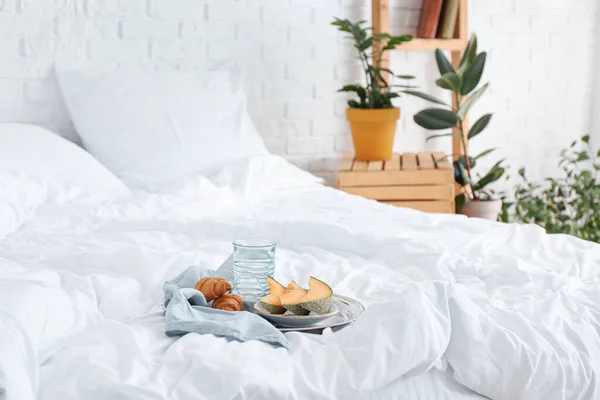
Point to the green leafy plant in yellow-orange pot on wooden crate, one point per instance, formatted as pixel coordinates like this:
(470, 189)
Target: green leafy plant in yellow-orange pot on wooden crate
(372, 116)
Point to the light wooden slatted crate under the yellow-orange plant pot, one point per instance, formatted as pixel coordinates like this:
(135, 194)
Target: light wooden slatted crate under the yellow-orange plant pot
(423, 181)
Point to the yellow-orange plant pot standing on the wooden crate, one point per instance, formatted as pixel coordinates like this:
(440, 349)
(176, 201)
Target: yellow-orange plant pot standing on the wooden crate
(373, 132)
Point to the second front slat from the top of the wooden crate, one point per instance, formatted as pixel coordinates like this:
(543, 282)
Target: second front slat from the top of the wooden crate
(403, 192)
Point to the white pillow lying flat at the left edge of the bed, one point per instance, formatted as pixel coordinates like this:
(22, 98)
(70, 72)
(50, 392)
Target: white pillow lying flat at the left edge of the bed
(45, 155)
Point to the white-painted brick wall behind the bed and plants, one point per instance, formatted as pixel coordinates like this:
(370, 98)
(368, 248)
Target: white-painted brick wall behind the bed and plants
(540, 65)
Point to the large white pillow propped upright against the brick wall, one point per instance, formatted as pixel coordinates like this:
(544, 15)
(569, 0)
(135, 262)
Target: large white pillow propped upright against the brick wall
(156, 128)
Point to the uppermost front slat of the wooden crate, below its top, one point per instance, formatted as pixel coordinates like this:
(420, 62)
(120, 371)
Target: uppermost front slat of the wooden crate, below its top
(396, 178)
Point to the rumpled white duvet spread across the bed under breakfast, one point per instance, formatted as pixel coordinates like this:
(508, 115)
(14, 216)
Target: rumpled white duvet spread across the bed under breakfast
(455, 308)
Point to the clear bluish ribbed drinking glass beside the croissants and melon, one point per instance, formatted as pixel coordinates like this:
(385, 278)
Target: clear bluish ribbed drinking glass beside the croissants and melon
(253, 262)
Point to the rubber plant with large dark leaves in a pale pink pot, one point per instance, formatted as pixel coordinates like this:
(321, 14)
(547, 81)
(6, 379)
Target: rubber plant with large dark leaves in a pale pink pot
(476, 200)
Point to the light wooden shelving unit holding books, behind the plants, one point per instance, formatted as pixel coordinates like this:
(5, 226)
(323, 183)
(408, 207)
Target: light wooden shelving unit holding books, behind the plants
(381, 24)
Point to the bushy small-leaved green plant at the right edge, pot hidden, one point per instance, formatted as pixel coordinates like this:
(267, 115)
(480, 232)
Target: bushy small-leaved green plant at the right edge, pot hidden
(569, 204)
